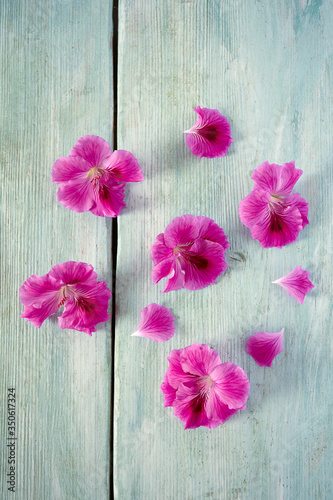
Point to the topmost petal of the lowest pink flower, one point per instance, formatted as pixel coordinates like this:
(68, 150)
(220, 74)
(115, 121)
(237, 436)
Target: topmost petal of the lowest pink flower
(199, 359)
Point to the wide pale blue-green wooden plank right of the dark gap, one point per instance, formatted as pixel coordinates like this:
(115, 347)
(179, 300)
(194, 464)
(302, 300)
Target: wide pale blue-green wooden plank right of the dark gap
(267, 67)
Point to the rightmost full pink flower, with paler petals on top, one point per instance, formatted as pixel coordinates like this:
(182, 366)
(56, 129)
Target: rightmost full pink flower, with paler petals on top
(274, 215)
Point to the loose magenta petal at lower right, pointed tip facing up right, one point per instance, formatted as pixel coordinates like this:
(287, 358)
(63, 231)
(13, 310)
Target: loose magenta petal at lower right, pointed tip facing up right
(263, 347)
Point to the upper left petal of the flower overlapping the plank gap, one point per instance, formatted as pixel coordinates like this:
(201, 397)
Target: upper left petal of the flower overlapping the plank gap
(69, 169)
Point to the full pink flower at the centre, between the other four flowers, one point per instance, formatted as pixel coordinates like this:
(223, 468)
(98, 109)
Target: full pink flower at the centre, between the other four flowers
(191, 252)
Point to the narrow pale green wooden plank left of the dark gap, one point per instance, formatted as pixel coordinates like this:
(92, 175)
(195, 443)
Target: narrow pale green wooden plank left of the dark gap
(56, 86)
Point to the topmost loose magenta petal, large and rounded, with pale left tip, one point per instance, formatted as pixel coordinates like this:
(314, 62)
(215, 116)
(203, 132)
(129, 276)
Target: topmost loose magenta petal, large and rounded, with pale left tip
(210, 136)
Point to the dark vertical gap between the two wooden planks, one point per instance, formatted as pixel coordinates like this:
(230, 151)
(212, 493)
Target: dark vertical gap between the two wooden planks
(114, 238)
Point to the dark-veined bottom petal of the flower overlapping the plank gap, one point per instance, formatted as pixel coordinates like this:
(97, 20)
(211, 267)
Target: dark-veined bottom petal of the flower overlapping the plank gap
(109, 199)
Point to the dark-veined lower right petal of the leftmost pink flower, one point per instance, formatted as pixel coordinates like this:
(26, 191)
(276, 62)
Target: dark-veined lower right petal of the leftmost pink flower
(87, 308)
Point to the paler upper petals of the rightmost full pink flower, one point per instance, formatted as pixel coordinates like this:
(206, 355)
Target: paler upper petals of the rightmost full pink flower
(278, 180)
